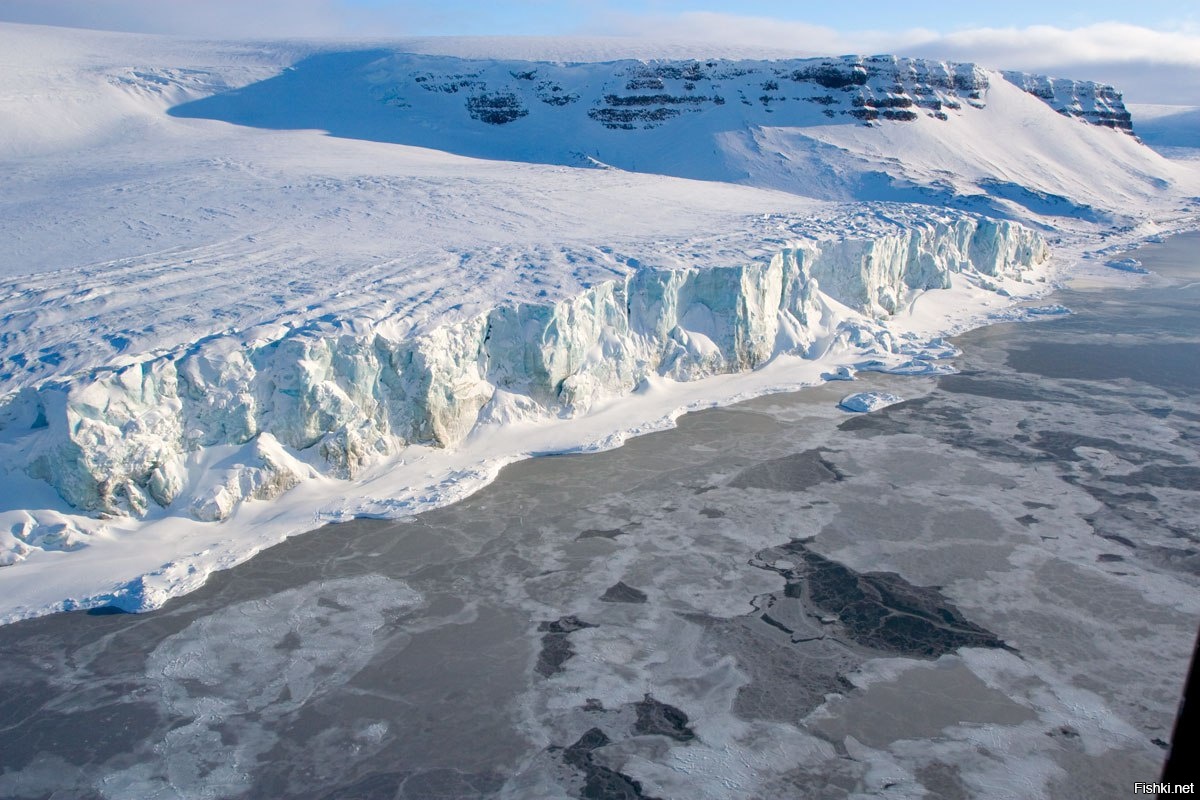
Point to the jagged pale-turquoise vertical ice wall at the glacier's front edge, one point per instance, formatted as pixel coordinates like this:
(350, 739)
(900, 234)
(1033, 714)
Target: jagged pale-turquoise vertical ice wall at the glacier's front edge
(337, 396)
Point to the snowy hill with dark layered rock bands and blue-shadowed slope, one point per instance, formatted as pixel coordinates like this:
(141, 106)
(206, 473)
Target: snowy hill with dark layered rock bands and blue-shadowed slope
(784, 124)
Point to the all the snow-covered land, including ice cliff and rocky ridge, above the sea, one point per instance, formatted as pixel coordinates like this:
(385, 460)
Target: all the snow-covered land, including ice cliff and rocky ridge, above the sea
(247, 287)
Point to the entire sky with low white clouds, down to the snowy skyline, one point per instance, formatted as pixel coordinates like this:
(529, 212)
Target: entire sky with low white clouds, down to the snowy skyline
(1150, 49)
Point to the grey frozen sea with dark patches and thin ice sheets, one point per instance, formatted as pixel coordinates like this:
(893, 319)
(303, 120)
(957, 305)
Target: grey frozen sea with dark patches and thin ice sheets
(988, 591)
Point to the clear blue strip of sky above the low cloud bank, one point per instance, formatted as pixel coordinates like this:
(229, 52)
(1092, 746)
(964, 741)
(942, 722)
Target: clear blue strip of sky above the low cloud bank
(565, 17)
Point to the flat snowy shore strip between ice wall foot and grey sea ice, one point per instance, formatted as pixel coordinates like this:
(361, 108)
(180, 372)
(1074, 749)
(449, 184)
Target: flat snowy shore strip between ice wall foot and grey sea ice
(139, 566)
